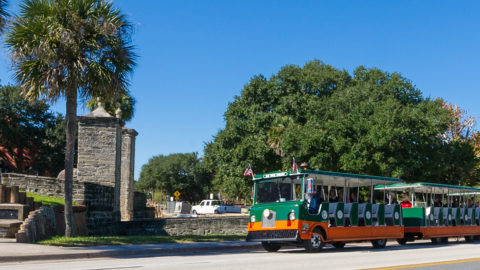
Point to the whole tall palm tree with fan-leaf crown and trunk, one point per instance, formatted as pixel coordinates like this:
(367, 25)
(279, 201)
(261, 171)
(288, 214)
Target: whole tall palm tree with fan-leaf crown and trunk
(71, 49)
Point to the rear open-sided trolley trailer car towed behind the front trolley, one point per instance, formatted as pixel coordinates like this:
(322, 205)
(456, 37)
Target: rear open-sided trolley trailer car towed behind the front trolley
(438, 211)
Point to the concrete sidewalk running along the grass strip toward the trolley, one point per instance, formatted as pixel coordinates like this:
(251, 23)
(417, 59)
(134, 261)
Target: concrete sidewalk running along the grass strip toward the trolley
(10, 251)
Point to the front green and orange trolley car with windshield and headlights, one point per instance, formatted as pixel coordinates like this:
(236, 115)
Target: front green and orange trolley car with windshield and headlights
(311, 208)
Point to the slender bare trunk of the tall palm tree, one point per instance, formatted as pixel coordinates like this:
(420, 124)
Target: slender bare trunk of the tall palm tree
(71, 121)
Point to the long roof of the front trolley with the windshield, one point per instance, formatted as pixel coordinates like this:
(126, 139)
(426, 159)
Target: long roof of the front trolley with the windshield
(327, 178)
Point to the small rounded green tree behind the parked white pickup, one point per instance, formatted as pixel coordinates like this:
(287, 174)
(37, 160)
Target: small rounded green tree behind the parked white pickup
(182, 172)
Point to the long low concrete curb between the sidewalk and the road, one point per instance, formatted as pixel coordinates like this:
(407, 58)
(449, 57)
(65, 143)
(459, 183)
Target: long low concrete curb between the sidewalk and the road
(154, 251)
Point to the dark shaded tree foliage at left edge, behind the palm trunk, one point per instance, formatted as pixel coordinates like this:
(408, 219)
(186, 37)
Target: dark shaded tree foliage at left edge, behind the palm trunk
(30, 134)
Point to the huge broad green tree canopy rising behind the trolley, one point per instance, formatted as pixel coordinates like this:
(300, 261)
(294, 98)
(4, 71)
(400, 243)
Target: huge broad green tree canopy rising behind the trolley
(371, 122)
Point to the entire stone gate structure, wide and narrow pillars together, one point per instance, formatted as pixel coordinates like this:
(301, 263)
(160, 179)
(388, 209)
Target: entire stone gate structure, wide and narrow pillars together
(106, 156)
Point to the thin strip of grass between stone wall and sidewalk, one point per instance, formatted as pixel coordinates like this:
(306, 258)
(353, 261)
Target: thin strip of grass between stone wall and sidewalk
(83, 241)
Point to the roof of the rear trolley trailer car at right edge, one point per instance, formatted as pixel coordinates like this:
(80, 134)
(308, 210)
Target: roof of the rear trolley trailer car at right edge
(424, 187)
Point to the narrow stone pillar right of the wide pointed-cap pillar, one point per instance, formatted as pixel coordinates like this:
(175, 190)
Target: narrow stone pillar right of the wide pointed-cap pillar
(127, 173)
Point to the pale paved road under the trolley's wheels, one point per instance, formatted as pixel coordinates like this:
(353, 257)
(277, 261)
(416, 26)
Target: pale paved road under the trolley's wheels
(353, 256)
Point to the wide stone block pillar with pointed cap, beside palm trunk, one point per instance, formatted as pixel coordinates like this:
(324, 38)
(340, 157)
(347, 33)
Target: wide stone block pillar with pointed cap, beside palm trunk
(99, 161)
